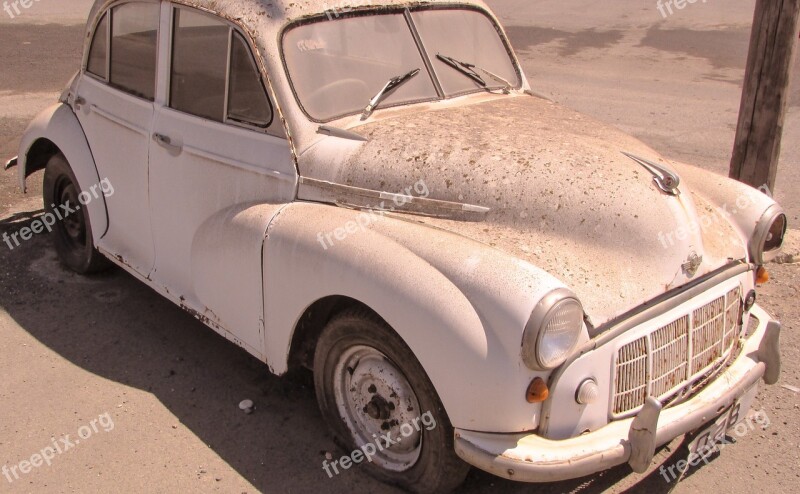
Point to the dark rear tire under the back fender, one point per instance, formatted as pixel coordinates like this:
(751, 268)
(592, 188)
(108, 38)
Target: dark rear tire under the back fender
(72, 230)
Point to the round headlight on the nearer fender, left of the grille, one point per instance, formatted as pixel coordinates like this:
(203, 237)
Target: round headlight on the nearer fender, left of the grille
(552, 331)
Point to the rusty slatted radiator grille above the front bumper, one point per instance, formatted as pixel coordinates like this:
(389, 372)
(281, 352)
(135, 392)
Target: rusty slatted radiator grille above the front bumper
(664, 362)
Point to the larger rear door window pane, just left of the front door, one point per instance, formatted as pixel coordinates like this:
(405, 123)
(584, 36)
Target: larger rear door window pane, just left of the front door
(134, 43)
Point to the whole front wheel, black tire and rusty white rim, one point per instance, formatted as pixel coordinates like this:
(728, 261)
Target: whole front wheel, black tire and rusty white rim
(381, 406)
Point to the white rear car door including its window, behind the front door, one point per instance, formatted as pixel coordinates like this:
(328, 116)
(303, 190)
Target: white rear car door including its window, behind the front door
(114, 105)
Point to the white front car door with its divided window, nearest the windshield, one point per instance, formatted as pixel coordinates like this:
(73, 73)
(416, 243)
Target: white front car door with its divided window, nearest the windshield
(217, 148)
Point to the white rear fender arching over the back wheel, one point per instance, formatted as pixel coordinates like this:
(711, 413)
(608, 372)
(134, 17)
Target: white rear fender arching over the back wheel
(59, 125)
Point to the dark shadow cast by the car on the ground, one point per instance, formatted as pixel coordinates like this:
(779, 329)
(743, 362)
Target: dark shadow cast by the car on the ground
(115, 327)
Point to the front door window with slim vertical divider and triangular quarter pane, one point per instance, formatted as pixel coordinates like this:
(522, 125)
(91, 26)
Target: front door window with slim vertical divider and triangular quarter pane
(207, 53)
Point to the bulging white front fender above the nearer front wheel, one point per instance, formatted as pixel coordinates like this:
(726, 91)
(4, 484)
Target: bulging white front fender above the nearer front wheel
(460, 306)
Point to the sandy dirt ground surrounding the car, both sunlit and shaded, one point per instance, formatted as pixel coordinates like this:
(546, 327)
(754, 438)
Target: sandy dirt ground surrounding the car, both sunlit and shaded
(162, 390)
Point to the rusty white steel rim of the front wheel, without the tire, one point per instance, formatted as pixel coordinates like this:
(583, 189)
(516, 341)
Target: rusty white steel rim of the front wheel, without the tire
(375, 399)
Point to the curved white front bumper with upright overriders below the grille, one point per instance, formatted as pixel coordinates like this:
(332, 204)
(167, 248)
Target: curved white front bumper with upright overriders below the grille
(531, 458)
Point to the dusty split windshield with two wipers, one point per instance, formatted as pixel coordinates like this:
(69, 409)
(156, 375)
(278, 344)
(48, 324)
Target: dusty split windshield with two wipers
(338, 65)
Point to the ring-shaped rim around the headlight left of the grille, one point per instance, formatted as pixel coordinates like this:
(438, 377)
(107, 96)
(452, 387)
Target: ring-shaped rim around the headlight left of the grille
(534, 330)
